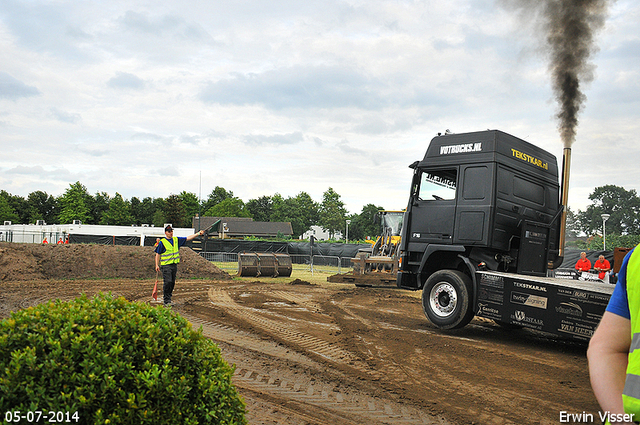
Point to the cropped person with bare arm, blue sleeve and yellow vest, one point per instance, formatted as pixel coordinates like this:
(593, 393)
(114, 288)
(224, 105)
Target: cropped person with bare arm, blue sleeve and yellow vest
(614, 349)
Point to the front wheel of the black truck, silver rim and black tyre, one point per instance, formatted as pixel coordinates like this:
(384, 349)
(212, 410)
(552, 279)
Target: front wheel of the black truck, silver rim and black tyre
(446, 299)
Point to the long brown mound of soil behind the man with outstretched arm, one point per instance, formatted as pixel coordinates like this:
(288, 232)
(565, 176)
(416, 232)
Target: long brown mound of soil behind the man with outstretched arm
(20, 262)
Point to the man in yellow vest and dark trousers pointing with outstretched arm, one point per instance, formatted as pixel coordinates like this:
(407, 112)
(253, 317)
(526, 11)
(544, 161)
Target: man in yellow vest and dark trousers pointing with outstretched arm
(167, 259)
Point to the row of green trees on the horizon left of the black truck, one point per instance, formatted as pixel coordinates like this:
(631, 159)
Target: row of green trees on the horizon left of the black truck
(76, 203)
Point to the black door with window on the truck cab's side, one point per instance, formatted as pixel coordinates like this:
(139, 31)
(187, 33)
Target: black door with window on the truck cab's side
(434, 206)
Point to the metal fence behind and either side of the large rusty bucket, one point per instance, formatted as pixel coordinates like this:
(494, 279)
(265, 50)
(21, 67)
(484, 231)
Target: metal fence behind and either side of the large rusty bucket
(228, 261)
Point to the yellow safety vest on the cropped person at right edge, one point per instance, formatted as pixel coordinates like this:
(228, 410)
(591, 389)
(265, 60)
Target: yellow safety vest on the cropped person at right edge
(631, 392)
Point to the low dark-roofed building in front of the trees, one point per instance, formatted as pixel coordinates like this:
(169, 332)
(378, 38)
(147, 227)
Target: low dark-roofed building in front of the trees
(239, 227)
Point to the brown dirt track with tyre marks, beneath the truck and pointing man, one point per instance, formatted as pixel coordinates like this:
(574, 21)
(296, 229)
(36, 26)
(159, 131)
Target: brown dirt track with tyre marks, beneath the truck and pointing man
(318, 354)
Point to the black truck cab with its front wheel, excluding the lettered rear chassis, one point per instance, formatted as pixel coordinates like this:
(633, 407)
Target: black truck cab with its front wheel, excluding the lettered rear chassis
(478, 201)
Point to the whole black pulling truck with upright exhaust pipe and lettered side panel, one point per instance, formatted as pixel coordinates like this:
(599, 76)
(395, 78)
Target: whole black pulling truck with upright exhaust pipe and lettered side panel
(483, 230)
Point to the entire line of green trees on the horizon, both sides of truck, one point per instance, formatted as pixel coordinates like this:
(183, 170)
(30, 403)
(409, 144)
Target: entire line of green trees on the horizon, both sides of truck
(622, 227)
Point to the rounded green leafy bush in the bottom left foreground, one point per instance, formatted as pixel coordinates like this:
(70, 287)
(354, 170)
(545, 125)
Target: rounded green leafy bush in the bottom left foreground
(113, 362)
